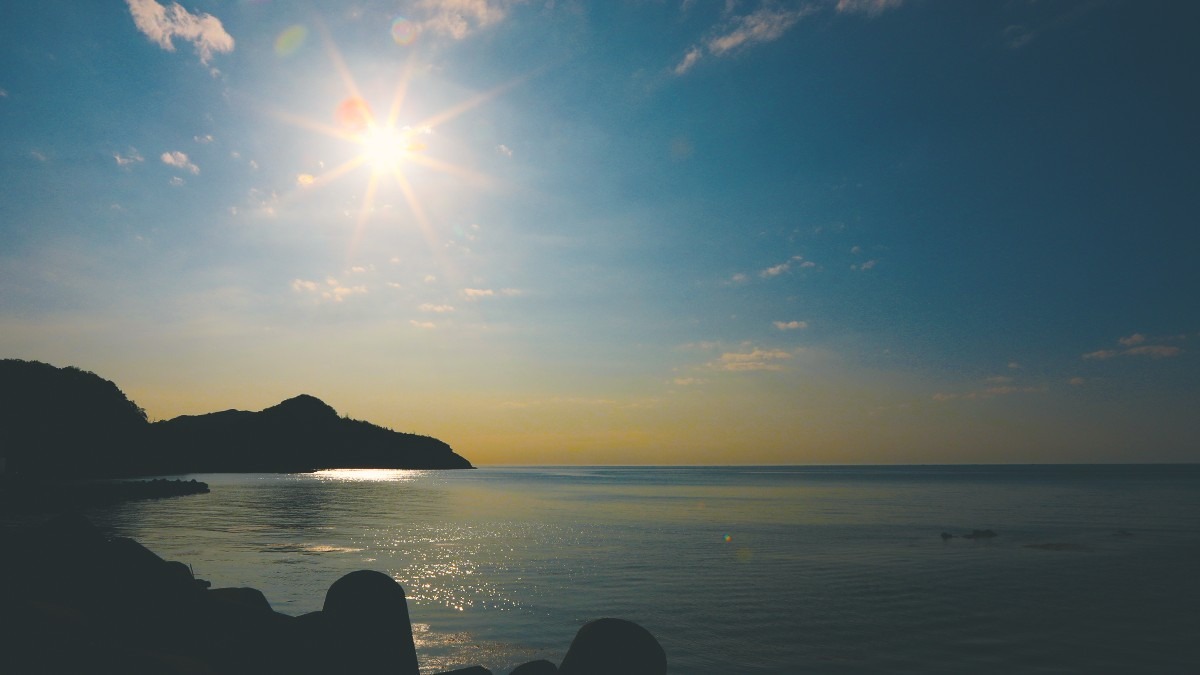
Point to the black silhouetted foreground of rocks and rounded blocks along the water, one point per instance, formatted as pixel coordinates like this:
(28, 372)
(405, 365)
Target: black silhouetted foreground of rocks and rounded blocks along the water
(75, 601)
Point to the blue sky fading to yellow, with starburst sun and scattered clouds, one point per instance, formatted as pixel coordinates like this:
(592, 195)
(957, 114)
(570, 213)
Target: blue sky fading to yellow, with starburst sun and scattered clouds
(622, 232)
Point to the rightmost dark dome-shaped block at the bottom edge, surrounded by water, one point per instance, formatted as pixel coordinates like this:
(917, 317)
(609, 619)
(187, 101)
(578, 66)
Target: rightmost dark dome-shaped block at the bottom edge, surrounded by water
(614, 646)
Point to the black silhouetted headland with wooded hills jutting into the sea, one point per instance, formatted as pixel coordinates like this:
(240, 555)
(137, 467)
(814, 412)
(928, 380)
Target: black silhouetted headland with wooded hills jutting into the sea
(64, 423)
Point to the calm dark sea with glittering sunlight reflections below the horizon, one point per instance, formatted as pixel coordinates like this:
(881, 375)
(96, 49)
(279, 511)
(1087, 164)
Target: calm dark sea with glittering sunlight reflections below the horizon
(735, 570)
